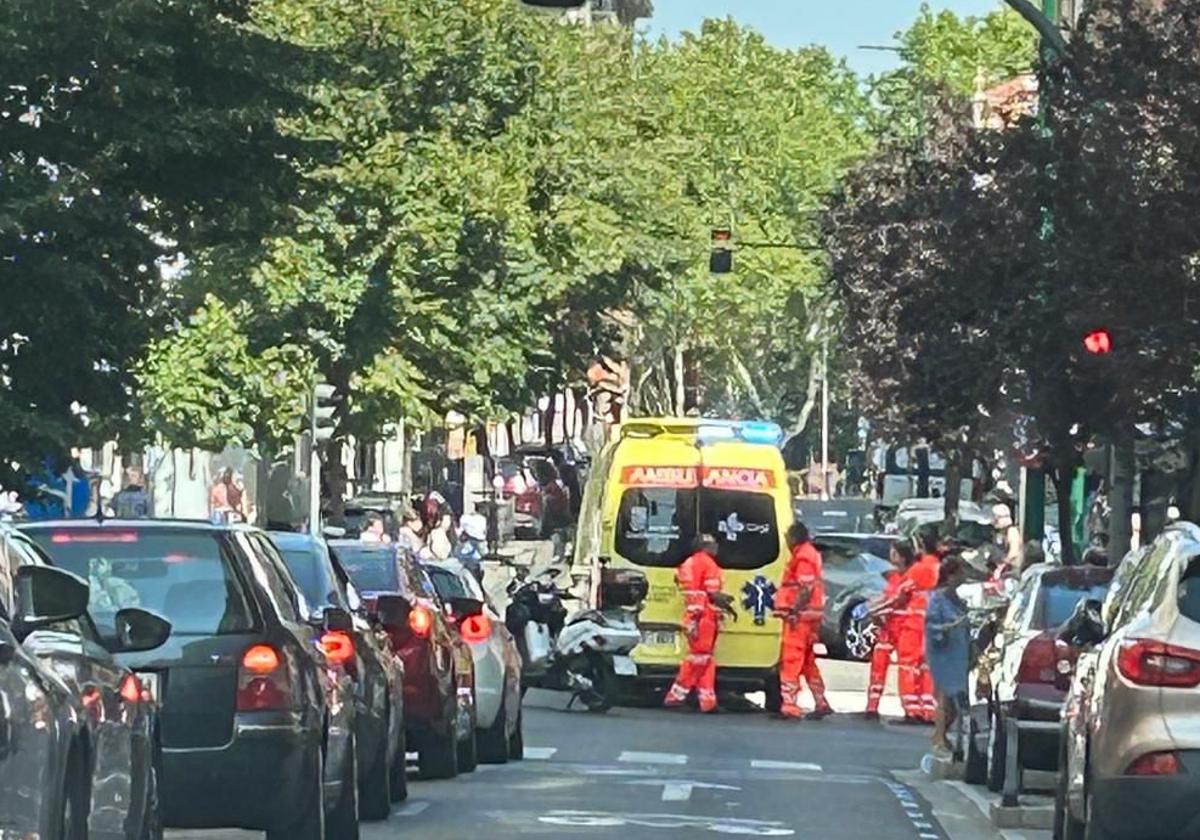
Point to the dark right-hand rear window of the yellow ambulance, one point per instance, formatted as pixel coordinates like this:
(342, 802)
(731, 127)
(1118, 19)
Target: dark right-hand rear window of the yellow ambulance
(745, 525)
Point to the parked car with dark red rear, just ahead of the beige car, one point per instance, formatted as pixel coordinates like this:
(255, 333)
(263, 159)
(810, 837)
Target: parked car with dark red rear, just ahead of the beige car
(1021, 681)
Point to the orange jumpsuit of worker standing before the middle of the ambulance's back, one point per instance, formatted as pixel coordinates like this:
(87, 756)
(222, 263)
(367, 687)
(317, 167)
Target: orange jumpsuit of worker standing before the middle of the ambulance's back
(700, 578)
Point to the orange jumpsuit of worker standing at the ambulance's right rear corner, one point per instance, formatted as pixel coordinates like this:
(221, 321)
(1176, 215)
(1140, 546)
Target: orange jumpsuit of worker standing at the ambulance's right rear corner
(797, 658)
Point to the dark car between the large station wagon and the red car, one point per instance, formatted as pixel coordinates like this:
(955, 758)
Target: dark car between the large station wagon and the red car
(374, 665)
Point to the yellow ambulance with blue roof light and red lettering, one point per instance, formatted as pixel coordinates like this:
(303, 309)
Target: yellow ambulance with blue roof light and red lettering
(656, 487)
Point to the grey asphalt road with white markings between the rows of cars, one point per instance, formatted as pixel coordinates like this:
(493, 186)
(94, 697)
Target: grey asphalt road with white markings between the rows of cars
(651, 773)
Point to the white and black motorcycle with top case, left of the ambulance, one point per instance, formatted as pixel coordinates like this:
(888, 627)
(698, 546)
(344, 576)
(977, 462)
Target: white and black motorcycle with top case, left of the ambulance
(586, 653)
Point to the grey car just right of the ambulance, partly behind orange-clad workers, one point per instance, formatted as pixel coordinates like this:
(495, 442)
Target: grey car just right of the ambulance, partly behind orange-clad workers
(855, 571)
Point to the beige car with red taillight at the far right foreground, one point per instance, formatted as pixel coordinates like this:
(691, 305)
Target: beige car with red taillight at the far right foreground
(1131, 747)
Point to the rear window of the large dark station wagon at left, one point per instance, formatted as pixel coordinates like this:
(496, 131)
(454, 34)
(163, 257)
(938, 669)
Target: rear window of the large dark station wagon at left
(185, 577)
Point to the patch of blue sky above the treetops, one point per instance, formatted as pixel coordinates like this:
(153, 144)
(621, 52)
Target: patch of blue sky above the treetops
(842, 26)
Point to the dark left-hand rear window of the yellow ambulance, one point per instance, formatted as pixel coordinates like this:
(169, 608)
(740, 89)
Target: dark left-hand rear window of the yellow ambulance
(657, 526)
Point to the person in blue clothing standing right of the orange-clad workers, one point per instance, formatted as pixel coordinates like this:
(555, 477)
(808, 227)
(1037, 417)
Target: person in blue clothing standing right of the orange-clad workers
(949, 647)
